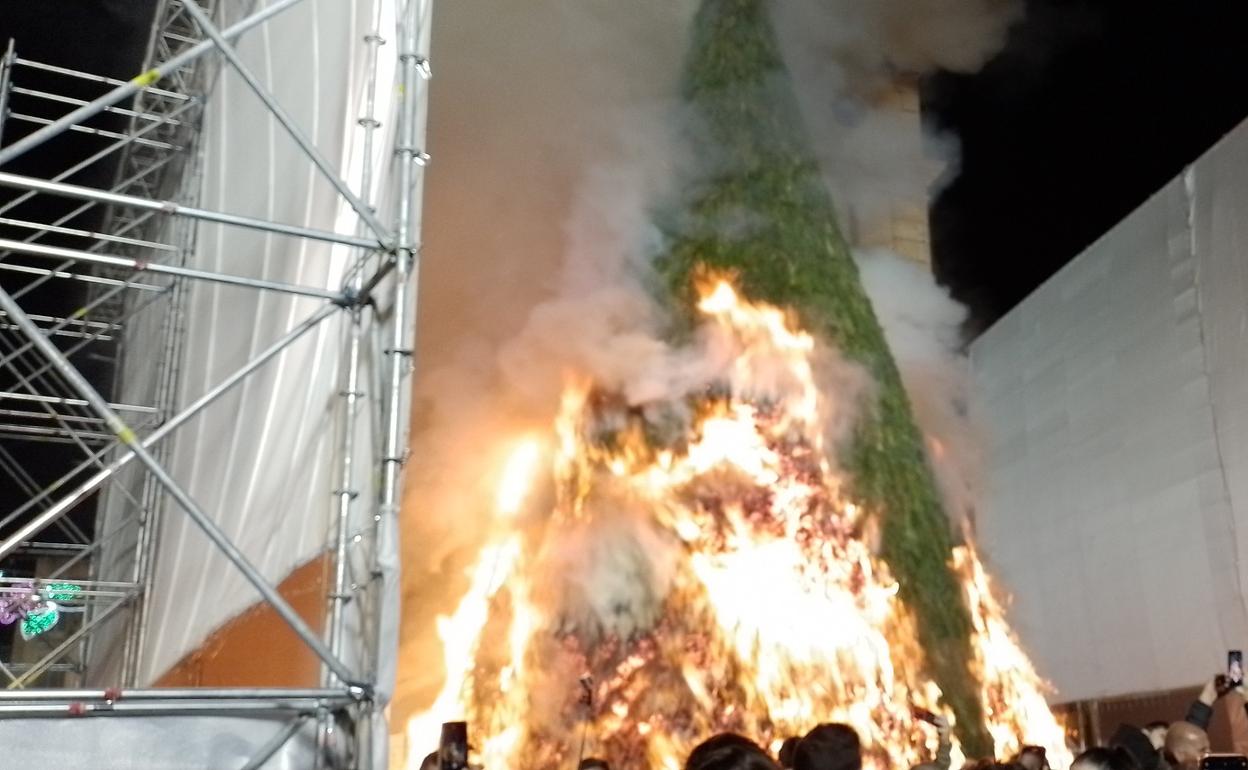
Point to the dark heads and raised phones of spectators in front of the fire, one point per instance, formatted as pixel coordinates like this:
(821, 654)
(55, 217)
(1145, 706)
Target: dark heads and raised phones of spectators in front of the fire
(1158, 746)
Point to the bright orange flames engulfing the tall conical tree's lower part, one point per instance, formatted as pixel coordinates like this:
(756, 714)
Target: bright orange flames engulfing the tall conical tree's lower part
(748, 600)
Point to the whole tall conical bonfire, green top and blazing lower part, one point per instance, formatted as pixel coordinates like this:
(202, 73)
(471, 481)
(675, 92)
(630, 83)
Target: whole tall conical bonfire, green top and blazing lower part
(762, 550)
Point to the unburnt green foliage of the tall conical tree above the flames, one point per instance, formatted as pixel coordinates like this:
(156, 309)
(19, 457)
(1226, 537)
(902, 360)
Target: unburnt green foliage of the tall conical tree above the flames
(763, 213)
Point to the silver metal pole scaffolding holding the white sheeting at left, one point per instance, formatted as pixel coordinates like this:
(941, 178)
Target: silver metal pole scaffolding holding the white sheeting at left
(95, 279)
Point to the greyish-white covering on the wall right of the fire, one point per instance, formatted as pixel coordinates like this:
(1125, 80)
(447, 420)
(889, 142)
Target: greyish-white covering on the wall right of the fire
(1115, 402)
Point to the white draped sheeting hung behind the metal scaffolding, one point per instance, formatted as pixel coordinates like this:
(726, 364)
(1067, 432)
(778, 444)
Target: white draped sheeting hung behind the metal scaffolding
(264, 460)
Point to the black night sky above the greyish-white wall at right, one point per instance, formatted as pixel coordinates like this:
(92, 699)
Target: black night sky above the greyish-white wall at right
(1093, 108)
